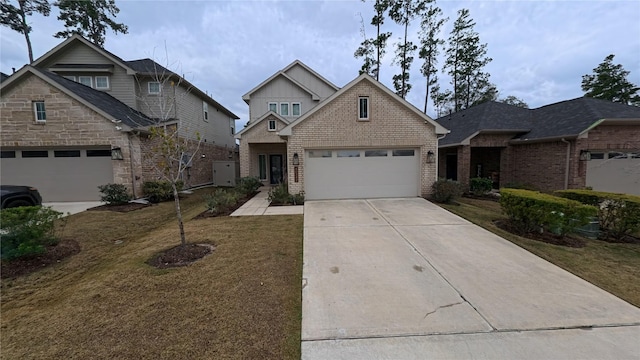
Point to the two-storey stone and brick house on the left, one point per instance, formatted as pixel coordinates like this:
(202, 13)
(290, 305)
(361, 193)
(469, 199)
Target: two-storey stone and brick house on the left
(65, 116)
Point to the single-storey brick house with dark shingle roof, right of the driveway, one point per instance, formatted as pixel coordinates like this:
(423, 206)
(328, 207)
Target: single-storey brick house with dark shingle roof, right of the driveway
(576, 143)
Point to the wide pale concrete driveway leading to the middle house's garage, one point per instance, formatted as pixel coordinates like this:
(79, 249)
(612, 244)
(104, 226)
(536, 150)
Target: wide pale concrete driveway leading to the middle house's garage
(405, 279)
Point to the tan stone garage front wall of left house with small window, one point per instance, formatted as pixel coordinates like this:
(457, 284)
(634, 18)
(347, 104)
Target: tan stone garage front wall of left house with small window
(69, 124)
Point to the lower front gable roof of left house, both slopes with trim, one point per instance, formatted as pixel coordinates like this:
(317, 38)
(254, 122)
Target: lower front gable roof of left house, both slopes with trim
(99, 101)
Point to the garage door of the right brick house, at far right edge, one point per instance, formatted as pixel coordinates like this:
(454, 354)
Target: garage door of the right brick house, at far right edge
(614, 171)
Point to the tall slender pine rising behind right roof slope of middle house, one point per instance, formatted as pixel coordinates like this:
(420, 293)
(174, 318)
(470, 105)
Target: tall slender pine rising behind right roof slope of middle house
(430, 46)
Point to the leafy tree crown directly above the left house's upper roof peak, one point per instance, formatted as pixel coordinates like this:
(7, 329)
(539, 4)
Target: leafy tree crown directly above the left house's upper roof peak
(89, 18)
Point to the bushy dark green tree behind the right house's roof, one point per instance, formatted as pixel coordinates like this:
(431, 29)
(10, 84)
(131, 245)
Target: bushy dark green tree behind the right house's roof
(609, 82)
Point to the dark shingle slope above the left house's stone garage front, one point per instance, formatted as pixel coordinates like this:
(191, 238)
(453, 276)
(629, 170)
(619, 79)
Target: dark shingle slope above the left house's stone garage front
(102, 101)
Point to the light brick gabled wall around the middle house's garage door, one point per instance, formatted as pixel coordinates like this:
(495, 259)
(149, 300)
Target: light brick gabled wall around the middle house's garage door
(391, 125)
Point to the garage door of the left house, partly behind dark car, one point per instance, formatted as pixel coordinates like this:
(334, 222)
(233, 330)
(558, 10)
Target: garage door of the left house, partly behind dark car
(59, 175)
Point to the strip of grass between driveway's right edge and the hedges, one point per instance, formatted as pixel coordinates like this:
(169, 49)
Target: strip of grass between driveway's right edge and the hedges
(614, 267)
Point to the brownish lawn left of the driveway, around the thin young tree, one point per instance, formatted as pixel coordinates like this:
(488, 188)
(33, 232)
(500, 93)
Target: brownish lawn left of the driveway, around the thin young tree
(242, 301)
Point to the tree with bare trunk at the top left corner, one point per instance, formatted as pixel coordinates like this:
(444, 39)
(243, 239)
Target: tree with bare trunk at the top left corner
(15, 17)
